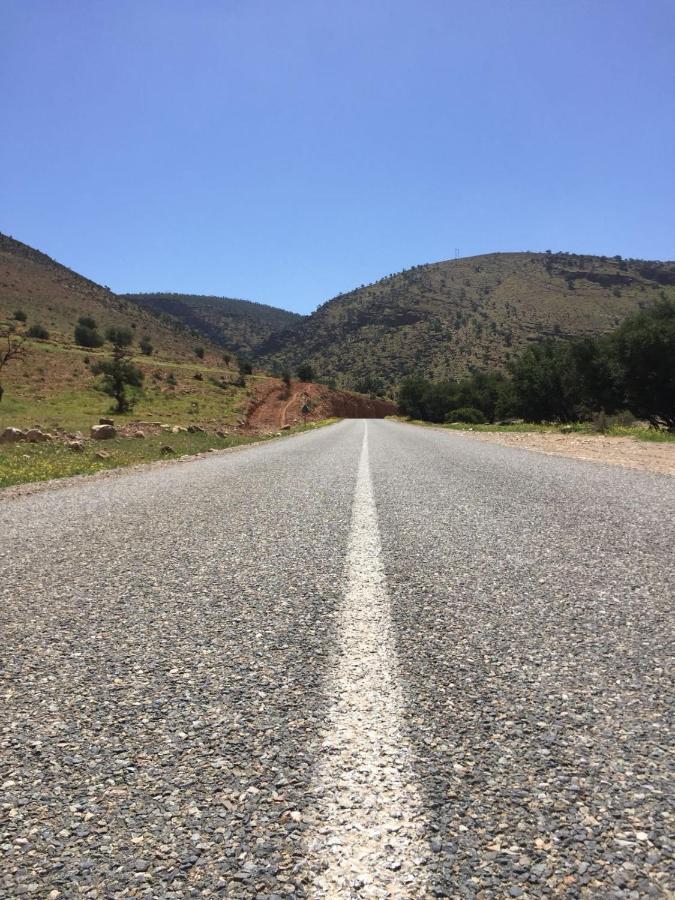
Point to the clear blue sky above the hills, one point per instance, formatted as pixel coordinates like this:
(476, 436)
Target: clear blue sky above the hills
(287, 150)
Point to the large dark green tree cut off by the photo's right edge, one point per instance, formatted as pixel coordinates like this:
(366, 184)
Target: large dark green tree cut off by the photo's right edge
(644, 347)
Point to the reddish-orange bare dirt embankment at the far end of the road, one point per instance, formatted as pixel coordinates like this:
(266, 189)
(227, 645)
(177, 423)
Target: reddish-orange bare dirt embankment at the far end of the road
(275, 406)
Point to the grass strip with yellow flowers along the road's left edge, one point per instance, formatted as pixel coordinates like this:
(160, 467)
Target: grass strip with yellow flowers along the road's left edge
(23, 463)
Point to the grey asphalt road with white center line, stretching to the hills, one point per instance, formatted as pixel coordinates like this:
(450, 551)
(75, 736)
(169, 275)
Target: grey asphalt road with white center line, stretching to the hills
(405, 665)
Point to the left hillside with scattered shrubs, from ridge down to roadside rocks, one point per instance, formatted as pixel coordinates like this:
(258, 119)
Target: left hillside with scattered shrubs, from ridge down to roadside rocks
(185, 378)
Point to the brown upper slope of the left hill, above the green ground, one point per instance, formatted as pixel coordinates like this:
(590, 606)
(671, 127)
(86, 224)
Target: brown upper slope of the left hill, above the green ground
(54, 296)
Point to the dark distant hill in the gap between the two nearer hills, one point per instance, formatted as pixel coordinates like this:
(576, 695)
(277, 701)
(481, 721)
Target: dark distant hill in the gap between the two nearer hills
(238, 325)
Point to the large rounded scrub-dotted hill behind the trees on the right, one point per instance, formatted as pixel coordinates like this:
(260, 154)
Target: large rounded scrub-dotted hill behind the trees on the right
(445, 319)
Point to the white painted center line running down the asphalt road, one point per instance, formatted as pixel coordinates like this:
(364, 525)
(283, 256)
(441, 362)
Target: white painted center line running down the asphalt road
(367, 839)
